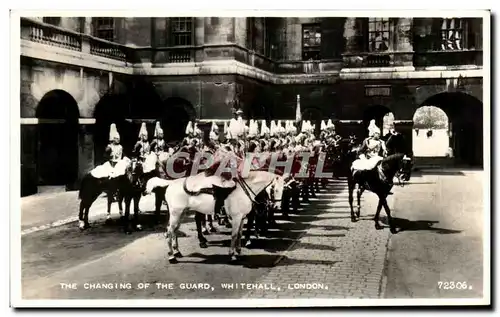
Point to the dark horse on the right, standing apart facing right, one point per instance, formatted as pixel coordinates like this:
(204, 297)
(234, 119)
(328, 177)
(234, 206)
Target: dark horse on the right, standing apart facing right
(373, 180)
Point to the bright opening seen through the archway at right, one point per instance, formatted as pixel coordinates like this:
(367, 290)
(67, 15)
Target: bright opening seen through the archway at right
(431, 137)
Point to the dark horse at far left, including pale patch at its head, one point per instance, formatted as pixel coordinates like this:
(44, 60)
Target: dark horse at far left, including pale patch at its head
(91, 187)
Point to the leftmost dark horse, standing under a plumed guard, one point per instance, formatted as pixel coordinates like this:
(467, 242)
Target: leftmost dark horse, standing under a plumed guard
(128, 187)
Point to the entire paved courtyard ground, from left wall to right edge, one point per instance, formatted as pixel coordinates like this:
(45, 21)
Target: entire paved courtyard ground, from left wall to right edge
(318, 253)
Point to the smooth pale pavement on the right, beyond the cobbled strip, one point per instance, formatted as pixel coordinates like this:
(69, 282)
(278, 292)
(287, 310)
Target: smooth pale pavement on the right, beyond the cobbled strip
(442, 212)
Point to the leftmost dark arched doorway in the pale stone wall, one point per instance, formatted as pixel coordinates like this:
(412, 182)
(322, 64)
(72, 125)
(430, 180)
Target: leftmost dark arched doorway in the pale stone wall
(57, 157)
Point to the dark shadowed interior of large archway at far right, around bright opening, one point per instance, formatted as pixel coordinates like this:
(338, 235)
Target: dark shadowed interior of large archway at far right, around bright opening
(465, 114)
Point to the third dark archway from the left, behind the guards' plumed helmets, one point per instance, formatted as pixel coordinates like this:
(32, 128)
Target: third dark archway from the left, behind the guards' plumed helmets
(176, 115)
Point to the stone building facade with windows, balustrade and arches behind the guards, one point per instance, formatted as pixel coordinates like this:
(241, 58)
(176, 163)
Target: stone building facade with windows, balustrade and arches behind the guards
(78, 75)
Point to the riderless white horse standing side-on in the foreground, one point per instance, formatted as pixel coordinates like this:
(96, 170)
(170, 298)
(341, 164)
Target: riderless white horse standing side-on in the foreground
(190, 194)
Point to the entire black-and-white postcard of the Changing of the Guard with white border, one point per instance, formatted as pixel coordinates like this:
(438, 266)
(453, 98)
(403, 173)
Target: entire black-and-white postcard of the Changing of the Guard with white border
(250, 159)
